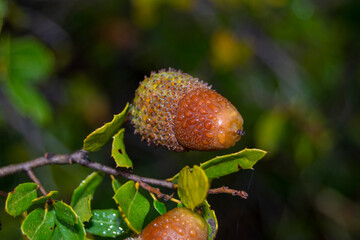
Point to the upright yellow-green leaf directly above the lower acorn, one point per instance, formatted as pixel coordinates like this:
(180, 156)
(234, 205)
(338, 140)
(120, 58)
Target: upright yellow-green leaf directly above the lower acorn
(192, 186)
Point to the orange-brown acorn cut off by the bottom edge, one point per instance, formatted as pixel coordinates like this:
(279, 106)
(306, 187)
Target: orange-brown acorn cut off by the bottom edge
(177, 224)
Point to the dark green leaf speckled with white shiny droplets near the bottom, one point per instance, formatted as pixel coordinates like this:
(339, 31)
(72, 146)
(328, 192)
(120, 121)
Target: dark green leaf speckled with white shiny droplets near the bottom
(107, 223)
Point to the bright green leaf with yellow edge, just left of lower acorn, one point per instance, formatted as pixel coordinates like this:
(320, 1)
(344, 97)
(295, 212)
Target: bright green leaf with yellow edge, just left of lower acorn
(132, 204)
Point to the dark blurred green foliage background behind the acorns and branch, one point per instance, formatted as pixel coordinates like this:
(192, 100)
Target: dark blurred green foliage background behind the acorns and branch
(291, 67)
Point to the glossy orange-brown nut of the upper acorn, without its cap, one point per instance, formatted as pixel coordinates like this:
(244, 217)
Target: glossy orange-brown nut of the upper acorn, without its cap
(206, 121)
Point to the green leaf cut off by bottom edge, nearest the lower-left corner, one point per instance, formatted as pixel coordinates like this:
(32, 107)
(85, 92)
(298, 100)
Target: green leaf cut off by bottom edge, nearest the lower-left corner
(39, 225)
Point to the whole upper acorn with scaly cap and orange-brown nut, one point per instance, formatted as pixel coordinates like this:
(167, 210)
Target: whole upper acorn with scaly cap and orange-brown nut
(177, 111)
